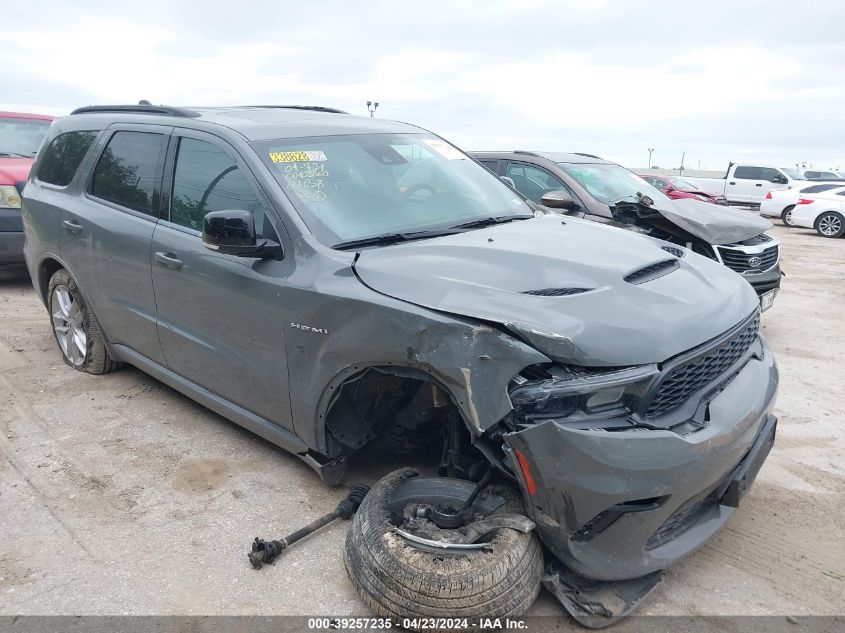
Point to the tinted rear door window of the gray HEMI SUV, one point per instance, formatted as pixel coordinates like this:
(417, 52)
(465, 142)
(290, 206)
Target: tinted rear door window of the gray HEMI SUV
(126, 171)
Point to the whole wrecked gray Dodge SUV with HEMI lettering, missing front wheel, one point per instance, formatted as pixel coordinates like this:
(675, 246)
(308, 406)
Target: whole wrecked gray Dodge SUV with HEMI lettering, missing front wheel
(331, 282)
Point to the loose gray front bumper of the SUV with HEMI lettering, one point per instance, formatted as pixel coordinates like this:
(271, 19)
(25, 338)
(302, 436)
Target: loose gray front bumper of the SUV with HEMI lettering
(665, 491)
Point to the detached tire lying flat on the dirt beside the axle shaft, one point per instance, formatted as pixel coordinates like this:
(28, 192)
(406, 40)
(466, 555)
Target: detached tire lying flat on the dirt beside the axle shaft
(399, 581)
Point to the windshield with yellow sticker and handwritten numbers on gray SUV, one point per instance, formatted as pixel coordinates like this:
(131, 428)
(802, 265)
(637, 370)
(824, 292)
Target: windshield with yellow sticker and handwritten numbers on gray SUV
(353, 187)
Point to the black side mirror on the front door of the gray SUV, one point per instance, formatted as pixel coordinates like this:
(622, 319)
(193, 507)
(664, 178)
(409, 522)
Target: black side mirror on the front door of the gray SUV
(232, 232)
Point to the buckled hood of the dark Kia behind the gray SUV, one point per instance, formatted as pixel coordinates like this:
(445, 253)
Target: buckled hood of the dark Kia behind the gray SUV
(712, 223)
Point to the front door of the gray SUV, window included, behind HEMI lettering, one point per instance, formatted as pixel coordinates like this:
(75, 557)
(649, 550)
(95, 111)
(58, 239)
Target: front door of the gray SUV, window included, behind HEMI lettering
(221, 318)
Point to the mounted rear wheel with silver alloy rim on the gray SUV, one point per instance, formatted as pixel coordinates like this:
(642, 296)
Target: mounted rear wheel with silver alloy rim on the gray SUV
(77, 335)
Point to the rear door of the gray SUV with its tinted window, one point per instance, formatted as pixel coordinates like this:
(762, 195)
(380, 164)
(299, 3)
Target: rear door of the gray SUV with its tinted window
(107, 231)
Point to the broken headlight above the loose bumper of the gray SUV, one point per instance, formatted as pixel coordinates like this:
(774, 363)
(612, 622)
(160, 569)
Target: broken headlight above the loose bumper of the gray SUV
(574, 395)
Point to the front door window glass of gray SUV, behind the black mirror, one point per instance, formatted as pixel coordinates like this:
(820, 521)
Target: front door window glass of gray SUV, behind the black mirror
(207, 179)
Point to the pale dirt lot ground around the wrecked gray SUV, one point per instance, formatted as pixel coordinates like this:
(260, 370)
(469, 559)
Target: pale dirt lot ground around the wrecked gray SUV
(118, 495)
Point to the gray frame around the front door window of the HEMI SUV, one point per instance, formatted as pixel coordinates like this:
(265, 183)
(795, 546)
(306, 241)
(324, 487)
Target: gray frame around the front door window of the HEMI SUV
(169, 172)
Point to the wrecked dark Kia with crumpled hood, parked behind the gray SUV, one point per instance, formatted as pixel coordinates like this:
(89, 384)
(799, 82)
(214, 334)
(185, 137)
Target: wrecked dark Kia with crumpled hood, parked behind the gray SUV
(605, 192)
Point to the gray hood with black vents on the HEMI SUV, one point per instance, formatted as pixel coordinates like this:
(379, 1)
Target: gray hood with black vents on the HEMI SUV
(484, 274)
